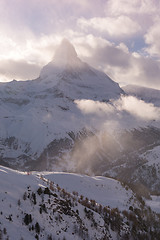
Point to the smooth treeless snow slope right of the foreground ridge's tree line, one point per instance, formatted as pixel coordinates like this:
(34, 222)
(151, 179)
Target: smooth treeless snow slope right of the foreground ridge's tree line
(105, 191)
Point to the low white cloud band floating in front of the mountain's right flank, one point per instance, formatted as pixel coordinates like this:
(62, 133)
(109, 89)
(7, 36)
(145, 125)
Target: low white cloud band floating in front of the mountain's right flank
(134, 107)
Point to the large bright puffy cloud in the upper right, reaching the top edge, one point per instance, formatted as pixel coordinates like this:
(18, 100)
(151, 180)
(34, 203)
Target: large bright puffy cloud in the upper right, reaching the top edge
(123, 19)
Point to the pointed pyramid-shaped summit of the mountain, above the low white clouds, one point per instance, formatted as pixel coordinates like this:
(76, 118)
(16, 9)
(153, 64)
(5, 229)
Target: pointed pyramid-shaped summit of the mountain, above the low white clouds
(75, 78)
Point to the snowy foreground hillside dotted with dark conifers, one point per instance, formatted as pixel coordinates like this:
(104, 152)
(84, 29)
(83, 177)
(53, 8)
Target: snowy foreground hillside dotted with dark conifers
(32, 206)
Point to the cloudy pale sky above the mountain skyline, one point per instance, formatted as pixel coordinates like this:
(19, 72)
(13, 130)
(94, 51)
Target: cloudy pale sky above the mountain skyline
(119, 37)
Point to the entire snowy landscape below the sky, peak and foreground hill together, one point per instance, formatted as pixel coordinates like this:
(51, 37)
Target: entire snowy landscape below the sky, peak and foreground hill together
(75, 118)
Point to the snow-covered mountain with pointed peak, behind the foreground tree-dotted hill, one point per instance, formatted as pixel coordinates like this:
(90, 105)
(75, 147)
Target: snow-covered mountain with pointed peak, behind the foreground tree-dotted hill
(41, 126)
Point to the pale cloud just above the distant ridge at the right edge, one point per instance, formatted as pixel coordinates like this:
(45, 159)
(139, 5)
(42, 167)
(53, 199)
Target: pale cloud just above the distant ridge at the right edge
(140, 70)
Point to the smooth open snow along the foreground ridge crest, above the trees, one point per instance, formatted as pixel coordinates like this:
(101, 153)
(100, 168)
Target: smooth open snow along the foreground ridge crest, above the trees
(105, 191)
